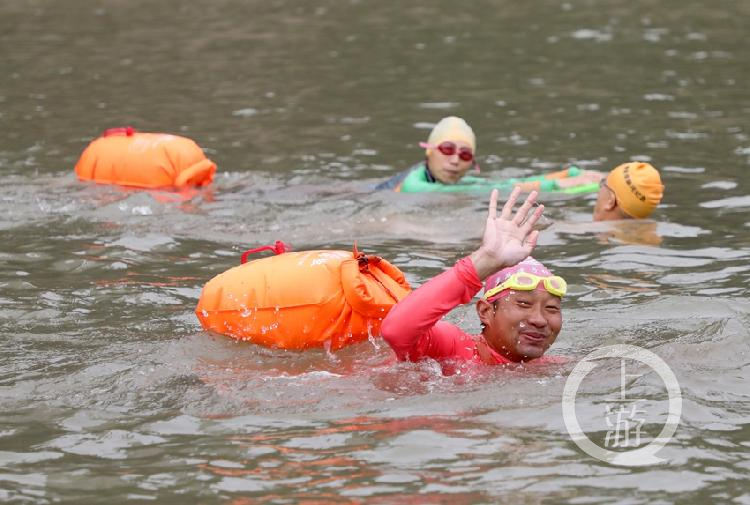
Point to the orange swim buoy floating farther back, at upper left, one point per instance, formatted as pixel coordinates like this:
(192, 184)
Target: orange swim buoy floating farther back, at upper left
(145, 160)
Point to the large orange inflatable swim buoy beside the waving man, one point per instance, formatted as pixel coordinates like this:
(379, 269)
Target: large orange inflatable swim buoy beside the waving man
(302, 300)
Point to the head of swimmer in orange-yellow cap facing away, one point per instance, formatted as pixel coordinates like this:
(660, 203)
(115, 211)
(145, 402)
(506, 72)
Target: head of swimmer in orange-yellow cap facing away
(630, 191)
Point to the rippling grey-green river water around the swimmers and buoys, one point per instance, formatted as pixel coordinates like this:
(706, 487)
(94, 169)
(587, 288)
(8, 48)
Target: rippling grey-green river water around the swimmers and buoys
(110, 390)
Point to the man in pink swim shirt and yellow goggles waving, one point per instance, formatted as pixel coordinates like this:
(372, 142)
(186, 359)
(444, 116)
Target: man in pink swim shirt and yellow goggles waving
(519, 310)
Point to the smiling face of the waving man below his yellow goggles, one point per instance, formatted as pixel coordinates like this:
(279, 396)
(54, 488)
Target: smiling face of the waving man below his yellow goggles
(521, 325)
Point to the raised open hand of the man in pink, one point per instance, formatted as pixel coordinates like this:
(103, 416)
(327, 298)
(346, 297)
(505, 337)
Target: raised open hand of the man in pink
(508, 238)
